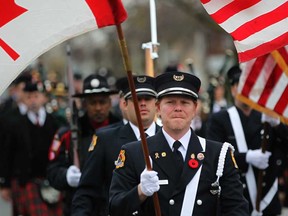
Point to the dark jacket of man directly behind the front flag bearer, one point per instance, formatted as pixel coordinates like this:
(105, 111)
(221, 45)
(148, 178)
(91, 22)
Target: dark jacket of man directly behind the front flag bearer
(92, 192)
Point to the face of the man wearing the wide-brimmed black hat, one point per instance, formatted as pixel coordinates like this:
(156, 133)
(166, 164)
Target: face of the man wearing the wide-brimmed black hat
(98, 107)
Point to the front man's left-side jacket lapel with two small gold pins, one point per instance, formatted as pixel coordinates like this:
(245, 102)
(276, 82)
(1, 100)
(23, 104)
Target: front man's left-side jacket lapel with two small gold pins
(162, 156)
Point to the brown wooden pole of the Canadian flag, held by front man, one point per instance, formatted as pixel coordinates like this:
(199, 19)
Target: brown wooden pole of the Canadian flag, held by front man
(128, 69)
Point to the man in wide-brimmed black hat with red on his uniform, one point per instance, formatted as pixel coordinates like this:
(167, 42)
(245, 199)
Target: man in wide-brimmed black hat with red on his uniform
(61, 171)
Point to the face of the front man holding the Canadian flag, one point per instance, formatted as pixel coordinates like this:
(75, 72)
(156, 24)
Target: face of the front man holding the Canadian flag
(176, 112)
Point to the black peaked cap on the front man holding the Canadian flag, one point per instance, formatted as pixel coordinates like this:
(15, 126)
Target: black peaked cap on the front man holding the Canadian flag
(177, 83)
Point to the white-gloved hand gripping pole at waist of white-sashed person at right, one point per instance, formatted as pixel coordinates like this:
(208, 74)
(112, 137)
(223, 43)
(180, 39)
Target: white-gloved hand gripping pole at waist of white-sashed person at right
(257, 158)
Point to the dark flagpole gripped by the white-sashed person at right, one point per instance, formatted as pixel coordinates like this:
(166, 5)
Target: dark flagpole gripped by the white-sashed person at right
(265, 139)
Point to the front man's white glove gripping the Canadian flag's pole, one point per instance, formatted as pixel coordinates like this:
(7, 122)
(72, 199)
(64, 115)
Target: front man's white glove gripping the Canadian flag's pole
(149, 182)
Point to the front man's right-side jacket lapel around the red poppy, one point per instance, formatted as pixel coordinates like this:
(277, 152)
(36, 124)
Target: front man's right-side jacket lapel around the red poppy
(194, 148)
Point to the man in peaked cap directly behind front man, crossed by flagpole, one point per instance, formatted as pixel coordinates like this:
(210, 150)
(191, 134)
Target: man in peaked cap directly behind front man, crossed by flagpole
(92, 193)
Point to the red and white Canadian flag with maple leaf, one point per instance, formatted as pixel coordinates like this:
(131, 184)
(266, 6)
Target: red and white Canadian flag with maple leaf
(30, 28)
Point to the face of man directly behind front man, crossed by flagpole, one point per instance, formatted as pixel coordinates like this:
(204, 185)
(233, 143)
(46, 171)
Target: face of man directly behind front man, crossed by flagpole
(147, 108)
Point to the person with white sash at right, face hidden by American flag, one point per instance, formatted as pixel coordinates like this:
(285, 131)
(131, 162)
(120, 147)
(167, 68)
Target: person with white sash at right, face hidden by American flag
(241, 126)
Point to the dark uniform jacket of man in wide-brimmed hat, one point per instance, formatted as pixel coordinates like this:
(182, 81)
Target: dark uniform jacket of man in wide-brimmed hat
(57, 168)
